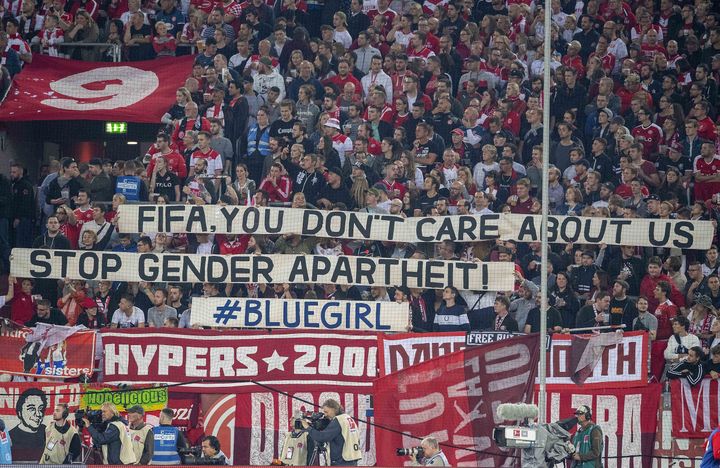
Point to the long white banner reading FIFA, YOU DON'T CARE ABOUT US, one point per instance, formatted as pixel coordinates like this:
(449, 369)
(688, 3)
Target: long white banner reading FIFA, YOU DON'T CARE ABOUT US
(682, 234)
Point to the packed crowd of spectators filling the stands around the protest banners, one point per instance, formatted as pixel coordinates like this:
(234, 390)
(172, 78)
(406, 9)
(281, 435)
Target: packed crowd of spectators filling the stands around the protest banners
(416, 109)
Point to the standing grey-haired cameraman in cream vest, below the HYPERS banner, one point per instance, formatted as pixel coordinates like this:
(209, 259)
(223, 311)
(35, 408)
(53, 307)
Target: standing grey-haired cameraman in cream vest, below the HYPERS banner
(342, 434)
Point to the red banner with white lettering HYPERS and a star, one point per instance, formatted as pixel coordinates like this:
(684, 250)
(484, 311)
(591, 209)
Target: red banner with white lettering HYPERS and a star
(224, 360)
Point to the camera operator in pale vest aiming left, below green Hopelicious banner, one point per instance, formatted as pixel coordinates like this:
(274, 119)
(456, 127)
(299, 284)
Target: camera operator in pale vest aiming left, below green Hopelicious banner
(115, 440)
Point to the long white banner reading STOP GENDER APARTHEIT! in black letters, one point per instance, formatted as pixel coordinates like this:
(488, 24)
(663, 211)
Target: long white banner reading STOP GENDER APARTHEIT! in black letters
(261, 269)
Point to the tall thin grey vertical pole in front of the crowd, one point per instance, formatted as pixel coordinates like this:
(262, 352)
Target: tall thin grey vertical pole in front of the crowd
(545, 188)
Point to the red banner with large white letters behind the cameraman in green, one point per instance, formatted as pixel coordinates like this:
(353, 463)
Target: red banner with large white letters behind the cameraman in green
(628, 418)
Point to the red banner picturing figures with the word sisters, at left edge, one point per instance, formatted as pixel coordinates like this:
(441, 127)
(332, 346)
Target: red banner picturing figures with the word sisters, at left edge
(67, 359)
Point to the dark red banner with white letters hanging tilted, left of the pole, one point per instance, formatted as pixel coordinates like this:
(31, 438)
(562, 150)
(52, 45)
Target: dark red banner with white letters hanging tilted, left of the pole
(453, 398)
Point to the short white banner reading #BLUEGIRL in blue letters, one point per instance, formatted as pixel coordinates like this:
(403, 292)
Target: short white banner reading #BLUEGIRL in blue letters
(300, 314)
